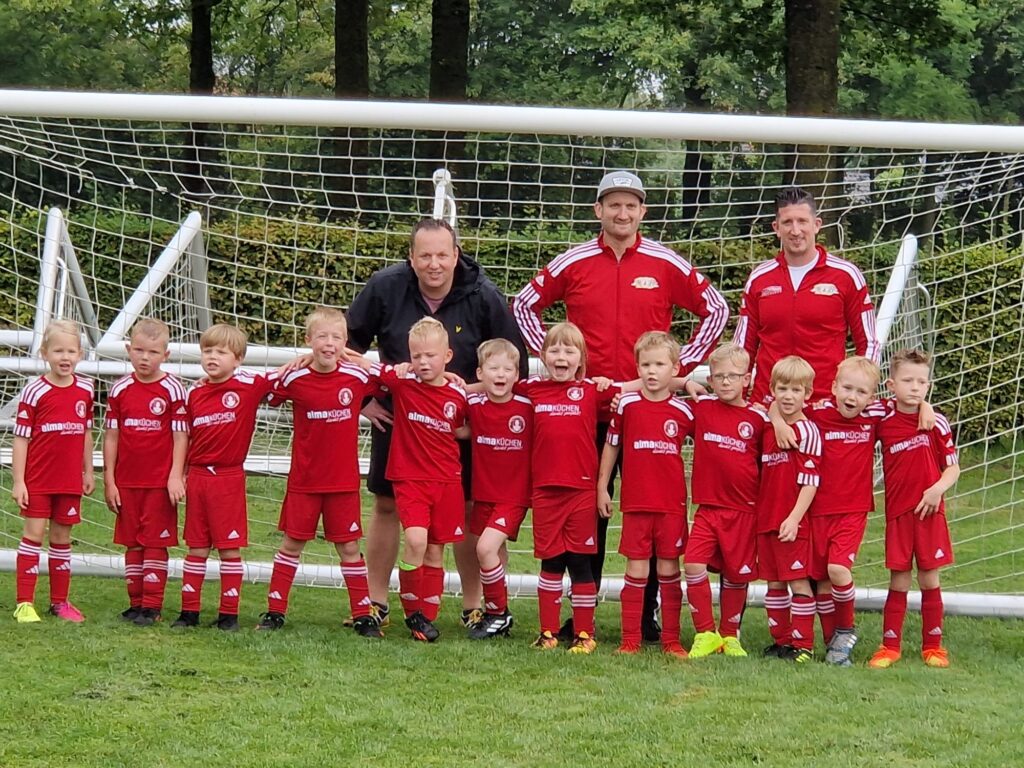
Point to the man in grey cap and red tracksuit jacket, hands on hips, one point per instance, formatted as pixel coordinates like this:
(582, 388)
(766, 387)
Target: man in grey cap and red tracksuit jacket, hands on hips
(616, 288)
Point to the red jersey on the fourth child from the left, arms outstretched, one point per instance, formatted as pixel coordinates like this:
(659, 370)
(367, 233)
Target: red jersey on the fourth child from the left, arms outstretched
(326, 412)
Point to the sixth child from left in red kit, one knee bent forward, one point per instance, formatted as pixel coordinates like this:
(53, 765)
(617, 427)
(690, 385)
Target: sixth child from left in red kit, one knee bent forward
(502, 425)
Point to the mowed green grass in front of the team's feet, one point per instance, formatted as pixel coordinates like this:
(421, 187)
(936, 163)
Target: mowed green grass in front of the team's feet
(106, 694)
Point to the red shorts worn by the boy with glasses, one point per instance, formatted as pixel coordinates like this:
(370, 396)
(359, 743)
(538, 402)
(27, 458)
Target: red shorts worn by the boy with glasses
(726, 539)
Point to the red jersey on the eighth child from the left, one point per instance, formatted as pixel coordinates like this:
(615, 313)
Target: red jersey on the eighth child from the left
(651, 435)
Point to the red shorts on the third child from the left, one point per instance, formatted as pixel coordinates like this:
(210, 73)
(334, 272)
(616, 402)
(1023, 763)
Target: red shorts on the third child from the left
(216, 509)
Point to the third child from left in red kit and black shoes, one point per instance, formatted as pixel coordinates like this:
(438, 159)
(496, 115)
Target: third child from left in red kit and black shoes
(222, 416)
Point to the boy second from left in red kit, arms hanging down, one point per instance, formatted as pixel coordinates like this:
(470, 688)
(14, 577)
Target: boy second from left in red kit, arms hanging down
(145, 446)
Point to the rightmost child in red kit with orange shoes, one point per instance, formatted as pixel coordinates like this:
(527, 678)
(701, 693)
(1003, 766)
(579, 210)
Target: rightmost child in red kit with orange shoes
(920, 468)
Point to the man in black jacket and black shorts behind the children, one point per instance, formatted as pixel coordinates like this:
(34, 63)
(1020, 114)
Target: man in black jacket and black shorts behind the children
(438, 281)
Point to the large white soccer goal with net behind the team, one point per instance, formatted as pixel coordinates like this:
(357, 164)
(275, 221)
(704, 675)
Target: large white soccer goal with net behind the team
(254, 211)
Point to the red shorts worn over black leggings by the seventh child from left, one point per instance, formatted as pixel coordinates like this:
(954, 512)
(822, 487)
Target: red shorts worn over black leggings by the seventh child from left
(565, 521)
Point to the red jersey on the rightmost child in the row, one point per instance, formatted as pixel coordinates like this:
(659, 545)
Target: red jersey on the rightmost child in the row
(913, 461)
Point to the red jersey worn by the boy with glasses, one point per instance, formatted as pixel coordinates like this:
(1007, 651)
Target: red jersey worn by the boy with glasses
(727, 454)
